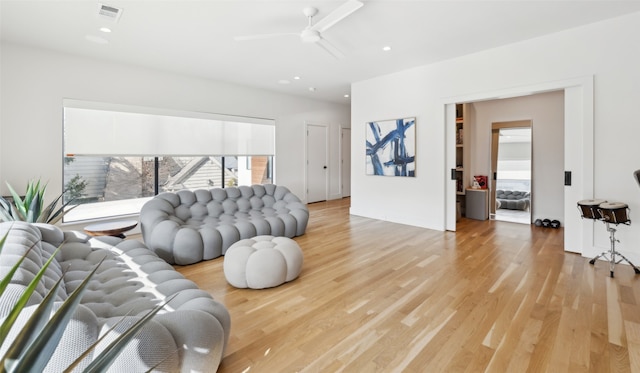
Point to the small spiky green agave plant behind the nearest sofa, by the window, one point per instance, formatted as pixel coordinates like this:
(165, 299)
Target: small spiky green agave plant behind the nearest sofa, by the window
(31, 208)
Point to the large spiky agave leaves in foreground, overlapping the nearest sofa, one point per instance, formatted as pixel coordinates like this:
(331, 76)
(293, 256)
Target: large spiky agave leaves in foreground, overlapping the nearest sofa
(36, 342)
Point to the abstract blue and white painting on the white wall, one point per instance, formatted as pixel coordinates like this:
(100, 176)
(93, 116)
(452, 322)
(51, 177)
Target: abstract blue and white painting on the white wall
(391, 147)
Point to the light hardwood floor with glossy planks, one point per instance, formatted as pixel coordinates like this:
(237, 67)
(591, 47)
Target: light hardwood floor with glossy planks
(375, 296)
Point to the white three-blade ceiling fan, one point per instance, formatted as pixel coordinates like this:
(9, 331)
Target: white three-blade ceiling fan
(313, 32)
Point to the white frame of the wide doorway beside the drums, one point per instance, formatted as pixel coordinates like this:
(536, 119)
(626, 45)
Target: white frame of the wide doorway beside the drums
(578, 108)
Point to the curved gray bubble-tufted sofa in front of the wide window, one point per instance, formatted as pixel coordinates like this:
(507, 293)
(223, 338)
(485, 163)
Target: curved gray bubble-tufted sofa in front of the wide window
(186, 227)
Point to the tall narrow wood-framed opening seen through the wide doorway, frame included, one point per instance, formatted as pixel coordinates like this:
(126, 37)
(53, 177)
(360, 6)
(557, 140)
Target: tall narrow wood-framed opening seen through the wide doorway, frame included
(511, 169)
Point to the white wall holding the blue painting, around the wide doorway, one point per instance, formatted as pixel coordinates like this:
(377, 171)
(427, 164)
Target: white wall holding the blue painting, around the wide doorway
(601, 49)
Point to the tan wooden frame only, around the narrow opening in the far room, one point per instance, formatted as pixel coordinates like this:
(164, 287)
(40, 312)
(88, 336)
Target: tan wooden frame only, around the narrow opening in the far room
(495, 141)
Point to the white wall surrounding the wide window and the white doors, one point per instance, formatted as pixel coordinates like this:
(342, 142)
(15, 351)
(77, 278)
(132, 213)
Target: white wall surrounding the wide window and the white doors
(35, 81)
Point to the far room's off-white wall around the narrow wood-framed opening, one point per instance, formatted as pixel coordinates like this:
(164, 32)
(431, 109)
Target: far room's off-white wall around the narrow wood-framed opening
(546, 112)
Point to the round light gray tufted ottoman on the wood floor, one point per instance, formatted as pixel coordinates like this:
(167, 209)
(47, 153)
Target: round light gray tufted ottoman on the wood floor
(262, 262)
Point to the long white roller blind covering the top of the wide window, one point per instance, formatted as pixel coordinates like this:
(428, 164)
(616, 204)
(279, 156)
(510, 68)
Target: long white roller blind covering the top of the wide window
(105, 129)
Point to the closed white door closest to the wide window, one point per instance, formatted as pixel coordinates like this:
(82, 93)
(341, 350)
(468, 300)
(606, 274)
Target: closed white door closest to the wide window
(317, 163)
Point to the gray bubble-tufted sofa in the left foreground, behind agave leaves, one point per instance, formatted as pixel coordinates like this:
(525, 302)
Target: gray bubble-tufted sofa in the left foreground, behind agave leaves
(187, 335)
